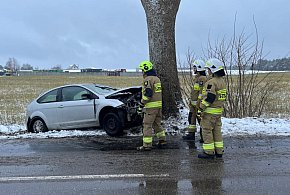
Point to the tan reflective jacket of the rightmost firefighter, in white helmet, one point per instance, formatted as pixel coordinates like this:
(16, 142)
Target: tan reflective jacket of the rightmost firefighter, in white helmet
(213, 96)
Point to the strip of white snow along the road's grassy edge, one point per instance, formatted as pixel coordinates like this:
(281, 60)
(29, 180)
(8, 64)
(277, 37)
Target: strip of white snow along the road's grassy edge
(231, 127)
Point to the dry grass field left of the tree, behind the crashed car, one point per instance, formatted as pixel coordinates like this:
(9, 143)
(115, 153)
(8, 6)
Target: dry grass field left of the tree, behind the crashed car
(17, 92)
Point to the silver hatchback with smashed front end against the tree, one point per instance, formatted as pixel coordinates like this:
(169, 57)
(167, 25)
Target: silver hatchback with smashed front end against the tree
(80, 106)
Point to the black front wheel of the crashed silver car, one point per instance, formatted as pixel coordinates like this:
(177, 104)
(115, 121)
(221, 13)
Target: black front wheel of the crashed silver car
(112, 124)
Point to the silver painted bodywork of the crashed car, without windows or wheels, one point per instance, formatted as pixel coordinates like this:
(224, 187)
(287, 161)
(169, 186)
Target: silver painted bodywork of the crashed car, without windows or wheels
(76, 113)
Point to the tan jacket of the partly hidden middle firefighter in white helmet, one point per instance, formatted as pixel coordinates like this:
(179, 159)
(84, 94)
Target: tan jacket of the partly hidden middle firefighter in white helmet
(196, 92)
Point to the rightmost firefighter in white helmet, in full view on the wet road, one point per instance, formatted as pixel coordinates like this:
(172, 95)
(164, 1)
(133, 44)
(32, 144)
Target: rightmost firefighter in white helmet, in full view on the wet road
(213, 99)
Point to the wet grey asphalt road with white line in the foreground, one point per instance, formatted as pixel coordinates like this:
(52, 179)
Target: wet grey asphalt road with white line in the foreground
(105, 165)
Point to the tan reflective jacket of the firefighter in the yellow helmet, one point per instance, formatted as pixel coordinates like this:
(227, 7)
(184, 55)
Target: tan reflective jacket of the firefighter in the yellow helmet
(151, 92)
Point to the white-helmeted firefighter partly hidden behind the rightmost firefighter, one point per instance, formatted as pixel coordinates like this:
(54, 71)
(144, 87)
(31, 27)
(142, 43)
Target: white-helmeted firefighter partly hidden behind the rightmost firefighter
(195, 97)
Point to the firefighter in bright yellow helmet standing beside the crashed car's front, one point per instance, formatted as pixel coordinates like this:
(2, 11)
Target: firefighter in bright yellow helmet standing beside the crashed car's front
(151, 103)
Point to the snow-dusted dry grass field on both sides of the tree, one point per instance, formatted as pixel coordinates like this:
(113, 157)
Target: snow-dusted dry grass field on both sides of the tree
(17, 92)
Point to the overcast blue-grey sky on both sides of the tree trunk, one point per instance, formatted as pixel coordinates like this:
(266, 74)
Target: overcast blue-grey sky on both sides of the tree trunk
(113, 33)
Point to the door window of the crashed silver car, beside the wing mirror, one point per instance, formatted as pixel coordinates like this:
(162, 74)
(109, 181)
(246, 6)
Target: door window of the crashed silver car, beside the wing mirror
(73, 93)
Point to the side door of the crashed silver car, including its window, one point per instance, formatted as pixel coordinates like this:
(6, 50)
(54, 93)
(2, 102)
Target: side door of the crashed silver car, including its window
(74, 111)
